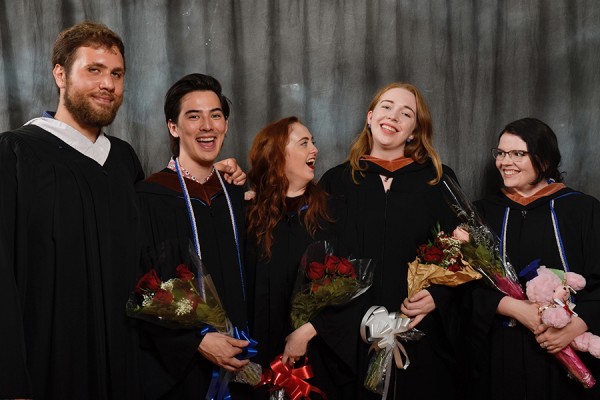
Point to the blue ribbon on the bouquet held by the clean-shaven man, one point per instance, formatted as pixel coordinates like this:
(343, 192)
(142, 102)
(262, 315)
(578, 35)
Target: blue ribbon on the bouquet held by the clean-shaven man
(219, 384)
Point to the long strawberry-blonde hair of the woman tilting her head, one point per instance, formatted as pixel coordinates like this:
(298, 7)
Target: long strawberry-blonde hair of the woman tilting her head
(419, 149)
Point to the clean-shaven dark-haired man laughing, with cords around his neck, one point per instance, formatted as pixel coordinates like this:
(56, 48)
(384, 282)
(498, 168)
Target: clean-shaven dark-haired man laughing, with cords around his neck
(188, 202)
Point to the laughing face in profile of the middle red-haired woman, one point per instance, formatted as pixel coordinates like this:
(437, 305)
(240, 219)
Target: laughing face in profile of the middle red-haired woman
(300, 157)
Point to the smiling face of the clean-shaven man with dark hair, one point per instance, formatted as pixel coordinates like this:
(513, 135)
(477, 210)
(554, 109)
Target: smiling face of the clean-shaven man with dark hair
(201, 127)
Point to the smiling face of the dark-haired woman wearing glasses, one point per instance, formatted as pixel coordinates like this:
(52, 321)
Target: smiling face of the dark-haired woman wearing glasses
(517, 176)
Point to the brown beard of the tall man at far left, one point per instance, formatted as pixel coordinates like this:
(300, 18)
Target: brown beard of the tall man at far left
(90, 114)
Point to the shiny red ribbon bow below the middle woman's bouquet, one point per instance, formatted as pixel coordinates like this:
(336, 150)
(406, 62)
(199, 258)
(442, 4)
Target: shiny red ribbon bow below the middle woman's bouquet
(292, 380)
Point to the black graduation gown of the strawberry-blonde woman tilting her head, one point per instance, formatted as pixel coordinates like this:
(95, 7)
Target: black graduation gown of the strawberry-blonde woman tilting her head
(388, 227)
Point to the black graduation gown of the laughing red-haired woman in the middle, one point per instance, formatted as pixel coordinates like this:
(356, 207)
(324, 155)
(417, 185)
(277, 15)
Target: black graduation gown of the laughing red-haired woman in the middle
(272, 286)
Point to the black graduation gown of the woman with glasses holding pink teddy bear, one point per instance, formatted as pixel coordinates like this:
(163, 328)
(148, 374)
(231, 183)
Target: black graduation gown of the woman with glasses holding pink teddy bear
(507, 362)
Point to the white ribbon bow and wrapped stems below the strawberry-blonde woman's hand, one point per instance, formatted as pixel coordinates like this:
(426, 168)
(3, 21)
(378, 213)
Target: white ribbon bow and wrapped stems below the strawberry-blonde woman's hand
(386, 332)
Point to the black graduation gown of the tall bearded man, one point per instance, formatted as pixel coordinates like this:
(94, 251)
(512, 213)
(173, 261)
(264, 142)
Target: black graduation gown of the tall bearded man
(68, 250)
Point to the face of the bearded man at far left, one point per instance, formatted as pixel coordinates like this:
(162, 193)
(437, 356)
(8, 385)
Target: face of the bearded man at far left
(92, 91)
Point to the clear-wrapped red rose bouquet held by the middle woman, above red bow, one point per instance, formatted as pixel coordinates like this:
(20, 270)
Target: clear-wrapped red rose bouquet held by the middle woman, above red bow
(327, 280)
